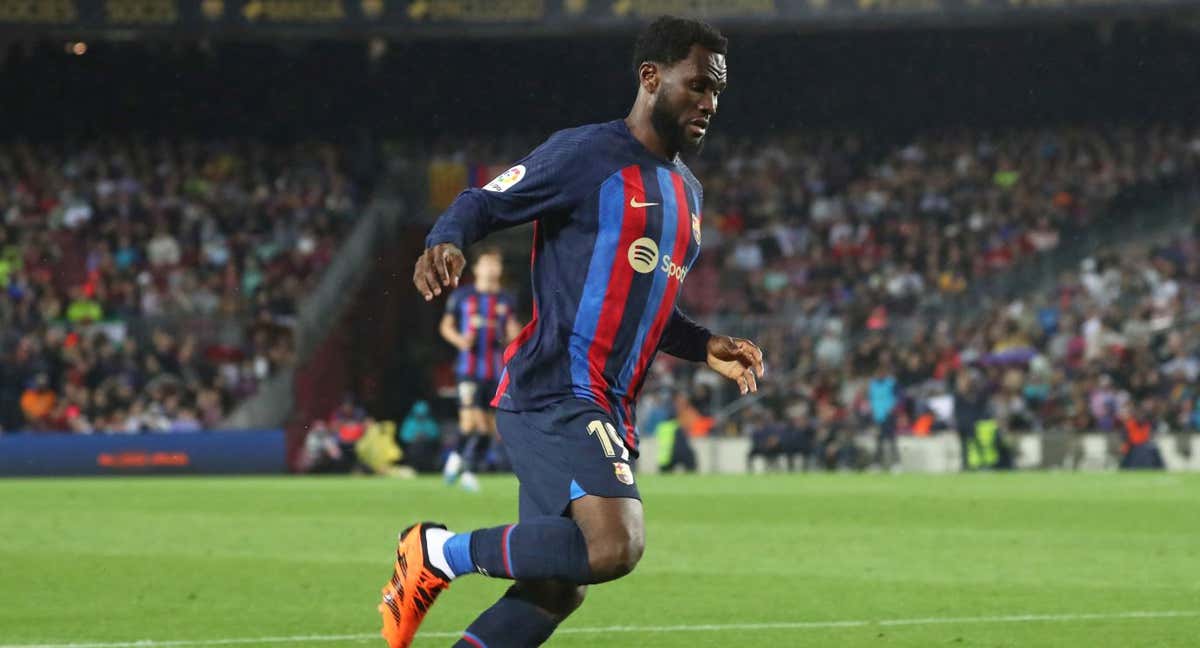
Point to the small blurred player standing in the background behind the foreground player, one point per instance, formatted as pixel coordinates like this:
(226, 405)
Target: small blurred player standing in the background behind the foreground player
(478, 322)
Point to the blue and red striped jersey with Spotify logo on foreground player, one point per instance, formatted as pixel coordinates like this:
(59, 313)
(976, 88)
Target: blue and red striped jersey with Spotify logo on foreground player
(616, 231)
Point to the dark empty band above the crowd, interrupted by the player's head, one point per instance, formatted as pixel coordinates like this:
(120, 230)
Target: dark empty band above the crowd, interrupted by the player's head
(886, 81)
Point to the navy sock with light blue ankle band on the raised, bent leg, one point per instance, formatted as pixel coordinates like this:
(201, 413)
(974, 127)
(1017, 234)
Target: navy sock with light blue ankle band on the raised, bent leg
(542, 548)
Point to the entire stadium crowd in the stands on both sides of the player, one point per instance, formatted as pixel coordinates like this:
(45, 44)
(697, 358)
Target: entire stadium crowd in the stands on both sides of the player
(152, 286)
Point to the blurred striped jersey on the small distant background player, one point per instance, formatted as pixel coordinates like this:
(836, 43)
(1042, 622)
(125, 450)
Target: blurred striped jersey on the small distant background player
(483, 317)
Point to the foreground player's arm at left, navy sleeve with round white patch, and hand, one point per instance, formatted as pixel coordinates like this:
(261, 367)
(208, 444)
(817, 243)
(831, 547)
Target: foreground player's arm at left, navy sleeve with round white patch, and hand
(543, 184)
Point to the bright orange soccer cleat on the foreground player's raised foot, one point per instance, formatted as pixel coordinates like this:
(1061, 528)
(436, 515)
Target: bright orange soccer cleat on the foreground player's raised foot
(412, 590)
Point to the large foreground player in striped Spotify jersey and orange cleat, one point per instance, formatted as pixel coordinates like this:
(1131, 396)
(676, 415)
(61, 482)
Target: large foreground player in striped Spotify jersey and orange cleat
(617, 223)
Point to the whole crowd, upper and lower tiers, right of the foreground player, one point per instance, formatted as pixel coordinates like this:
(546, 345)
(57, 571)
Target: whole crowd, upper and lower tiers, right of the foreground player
(831, 263)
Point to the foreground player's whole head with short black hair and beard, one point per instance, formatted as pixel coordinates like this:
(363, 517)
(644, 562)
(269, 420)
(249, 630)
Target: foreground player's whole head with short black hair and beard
(681, 70)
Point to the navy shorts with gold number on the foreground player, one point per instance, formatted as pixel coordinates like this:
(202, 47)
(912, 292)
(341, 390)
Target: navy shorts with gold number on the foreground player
(563, 453)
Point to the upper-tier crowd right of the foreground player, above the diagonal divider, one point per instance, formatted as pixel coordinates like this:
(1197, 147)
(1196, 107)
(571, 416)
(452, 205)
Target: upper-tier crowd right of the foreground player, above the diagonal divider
(803, 224)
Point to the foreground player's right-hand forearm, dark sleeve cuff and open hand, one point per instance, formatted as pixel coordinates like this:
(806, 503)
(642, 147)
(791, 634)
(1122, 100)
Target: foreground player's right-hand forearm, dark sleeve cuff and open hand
(735, 358)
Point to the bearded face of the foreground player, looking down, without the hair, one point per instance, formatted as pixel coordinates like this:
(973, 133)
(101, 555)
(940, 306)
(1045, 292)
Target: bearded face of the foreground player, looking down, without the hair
(687, 99)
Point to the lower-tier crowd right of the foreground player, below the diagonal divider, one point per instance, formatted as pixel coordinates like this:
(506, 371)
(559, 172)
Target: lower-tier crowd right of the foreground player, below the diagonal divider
(1114, 349)
